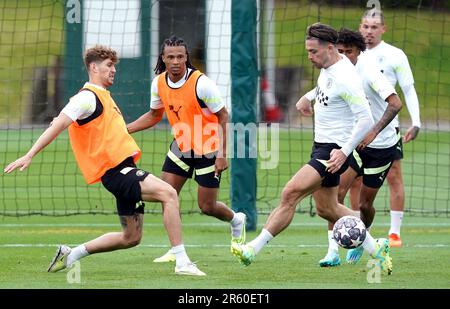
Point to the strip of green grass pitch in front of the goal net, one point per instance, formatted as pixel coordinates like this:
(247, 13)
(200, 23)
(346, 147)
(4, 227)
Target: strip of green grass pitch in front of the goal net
(289, 262)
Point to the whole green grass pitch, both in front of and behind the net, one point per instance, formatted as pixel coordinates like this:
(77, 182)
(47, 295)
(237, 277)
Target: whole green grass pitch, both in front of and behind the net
(291, 260)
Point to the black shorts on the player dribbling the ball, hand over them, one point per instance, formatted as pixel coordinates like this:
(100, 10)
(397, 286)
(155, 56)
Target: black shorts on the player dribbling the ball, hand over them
(319, 155)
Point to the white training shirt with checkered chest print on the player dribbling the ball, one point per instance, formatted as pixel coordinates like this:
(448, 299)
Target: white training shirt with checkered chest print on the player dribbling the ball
(340, 101)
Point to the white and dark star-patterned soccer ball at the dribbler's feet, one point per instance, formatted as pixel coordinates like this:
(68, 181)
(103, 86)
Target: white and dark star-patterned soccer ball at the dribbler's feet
(349, 232)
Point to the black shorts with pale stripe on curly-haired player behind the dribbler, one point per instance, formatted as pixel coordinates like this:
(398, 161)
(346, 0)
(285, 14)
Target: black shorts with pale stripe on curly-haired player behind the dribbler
(373, 164)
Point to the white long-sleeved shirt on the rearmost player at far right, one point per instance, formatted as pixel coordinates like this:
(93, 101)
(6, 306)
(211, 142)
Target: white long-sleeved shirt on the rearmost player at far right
(394, 64)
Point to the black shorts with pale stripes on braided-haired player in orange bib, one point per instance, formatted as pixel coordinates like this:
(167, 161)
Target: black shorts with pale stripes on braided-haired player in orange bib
(184, 163)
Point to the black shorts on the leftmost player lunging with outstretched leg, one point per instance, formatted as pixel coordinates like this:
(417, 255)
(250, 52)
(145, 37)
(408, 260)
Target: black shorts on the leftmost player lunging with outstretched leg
(123, 181)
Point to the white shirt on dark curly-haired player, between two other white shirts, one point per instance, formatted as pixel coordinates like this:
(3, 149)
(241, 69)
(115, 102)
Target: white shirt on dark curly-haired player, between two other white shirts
(377, 88)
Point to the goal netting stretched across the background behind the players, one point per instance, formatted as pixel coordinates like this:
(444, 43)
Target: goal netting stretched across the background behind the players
(41, 45)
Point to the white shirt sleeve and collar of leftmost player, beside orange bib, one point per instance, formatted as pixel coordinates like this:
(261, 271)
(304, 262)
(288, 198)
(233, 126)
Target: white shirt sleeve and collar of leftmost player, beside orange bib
(81, 105)
